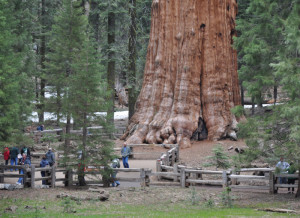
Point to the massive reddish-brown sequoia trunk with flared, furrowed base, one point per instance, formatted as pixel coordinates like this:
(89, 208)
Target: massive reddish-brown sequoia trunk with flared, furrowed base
(190, 79)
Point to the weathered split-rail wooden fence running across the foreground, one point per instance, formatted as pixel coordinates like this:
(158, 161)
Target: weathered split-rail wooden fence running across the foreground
(168, 172)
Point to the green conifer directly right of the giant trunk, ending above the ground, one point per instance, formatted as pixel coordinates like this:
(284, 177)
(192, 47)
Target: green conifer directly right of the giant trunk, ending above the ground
(260, 36)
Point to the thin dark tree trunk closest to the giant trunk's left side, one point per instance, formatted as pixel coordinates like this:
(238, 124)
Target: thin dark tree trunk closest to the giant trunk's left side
(132, 58)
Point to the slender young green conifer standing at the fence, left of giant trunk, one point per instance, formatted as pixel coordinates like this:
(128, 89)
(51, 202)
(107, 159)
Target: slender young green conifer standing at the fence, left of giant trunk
(78, 77)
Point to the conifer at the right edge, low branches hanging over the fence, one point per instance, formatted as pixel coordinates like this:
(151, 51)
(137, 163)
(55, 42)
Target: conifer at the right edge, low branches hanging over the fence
(277, 133)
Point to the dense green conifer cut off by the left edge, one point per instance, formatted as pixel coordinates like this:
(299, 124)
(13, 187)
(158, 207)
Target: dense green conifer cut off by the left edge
(16, 67)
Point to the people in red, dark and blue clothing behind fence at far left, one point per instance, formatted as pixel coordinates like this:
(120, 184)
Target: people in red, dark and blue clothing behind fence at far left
(24, 158)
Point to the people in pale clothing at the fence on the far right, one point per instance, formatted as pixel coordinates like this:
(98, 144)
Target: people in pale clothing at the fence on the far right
(289, 168)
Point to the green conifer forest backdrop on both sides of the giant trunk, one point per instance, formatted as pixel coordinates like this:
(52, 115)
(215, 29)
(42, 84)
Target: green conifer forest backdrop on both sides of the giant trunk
(62, 46)
